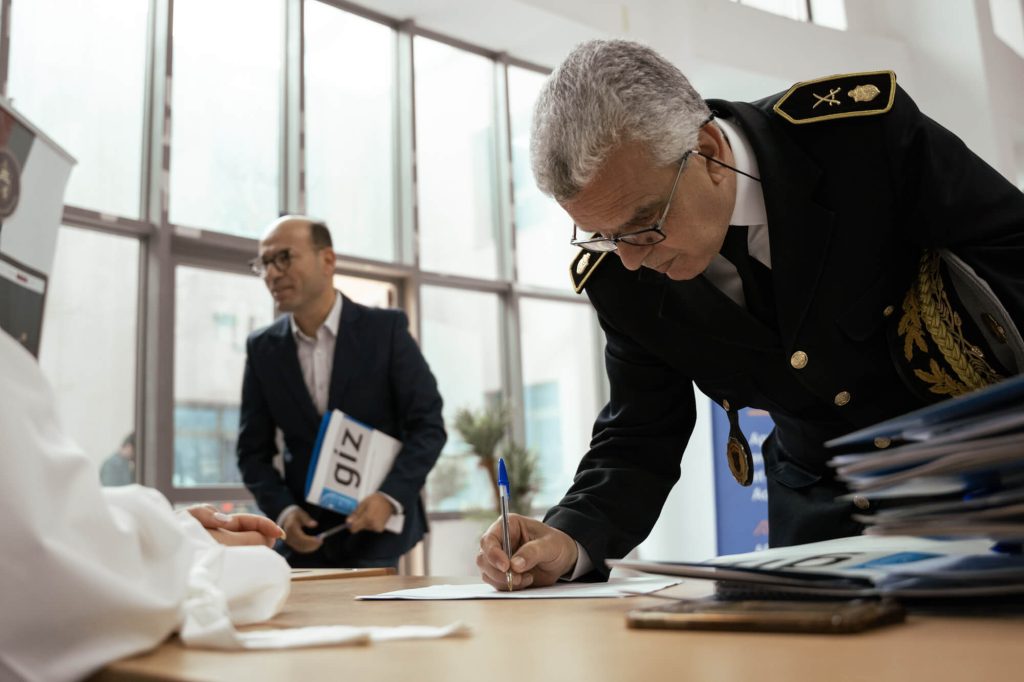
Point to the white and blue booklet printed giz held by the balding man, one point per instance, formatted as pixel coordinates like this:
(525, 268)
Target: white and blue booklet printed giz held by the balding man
(350, 463)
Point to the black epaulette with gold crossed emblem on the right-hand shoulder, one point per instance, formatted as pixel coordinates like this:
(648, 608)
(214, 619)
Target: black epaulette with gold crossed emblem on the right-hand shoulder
(838, 97)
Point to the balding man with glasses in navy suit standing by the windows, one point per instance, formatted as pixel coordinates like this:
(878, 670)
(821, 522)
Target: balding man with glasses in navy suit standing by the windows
(330, 353)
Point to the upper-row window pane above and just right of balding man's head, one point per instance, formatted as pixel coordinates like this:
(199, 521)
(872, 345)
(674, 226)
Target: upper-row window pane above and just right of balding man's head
(350, 100)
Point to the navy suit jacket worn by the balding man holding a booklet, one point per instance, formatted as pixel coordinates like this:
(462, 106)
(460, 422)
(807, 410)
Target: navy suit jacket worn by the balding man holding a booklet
(379, 378)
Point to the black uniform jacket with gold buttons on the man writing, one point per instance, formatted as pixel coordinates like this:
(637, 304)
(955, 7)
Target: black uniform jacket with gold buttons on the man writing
(850, 203)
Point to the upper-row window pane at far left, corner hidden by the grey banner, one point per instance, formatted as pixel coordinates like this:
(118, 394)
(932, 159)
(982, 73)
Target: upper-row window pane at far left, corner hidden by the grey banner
(78, 72)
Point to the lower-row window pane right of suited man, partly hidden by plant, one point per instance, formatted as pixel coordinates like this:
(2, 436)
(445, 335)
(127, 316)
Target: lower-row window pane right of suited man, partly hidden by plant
(461, 344)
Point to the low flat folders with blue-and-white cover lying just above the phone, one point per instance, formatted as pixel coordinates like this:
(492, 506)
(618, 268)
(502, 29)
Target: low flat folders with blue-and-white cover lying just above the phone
(860, 567)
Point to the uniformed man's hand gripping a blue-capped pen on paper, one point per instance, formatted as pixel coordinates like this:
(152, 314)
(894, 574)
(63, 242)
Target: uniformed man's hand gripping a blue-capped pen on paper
(542, 555)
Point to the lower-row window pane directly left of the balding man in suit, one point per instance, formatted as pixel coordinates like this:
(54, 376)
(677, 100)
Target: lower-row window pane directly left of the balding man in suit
(215, 314)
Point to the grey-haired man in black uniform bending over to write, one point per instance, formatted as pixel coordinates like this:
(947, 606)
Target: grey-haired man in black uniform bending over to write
(829, 254)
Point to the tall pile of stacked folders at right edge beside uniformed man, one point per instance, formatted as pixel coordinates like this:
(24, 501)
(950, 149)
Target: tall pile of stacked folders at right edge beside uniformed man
(957, 473)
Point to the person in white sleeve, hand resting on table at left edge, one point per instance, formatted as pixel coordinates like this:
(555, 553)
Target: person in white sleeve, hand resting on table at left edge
(92, 575)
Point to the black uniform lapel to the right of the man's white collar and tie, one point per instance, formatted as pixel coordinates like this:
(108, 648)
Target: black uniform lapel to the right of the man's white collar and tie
(799, 228)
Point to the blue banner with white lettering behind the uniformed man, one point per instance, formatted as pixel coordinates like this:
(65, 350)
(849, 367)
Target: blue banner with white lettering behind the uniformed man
(742, 514)
